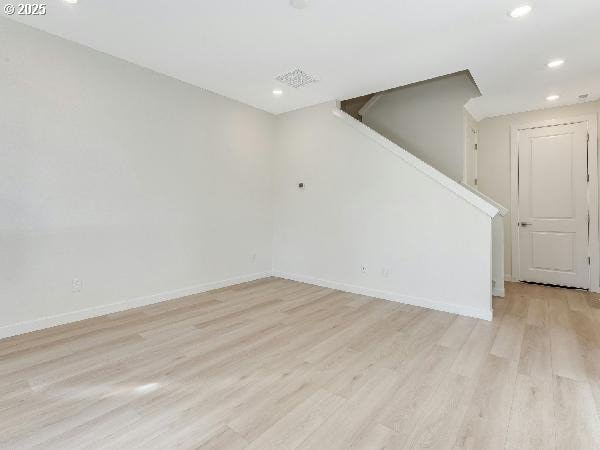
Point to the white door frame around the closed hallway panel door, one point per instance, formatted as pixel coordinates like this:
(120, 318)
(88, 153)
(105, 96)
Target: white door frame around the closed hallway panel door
(592, 192)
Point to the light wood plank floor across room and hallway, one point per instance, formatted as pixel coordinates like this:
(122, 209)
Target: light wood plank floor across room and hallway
(275, 364)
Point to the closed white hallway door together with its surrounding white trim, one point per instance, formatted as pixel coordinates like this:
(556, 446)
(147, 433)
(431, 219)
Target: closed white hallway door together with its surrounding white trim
(555, 203)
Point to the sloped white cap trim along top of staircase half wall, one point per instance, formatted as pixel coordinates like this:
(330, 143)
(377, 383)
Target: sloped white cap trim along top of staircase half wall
(421, 166)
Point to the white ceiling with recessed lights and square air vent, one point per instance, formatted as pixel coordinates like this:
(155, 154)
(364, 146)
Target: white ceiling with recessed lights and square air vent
(237, 47)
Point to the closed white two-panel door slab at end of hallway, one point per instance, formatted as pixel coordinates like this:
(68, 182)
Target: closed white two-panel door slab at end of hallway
(553, 207)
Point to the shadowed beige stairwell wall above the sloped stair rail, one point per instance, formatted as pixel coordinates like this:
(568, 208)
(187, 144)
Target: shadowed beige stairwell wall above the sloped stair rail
(427, 119)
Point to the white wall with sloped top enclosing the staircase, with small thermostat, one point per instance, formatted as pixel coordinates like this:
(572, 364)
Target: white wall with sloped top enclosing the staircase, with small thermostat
(362, 205)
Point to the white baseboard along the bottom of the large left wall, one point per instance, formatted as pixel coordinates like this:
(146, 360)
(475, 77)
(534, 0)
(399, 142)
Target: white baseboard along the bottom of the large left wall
(82, 314)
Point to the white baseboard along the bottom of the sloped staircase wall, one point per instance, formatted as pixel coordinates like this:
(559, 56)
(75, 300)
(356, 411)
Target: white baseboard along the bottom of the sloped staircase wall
(392, 296)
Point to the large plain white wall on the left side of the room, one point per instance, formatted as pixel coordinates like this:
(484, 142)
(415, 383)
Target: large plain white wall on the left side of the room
(135, 183)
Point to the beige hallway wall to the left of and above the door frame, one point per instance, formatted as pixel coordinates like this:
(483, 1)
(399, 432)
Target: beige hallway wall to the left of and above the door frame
(494, 155)
